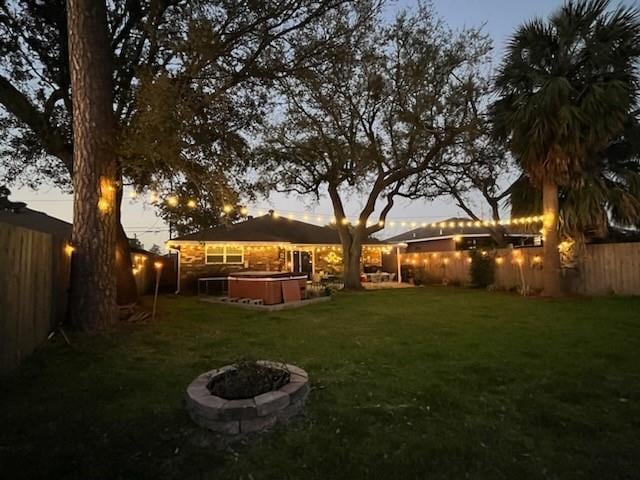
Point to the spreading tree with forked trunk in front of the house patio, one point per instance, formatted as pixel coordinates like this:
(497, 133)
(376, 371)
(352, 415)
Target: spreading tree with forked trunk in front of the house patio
(372, 114)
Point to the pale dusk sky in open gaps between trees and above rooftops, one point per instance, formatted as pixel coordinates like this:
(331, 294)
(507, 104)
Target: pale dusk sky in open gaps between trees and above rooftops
(499, 17)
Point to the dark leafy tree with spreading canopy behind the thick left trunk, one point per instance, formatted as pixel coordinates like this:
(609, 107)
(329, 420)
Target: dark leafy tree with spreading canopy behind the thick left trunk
(205, 50)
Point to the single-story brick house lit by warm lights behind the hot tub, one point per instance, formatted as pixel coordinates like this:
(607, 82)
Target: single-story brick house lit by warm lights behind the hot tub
(265, 243)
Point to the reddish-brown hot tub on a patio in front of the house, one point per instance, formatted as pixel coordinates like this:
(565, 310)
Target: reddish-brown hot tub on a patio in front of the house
(270, 287)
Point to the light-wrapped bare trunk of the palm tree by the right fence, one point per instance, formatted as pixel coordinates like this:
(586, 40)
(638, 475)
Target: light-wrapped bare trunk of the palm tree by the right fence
(552, 280)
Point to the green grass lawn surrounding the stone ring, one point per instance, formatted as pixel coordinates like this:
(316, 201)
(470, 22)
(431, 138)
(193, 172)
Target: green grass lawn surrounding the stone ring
(416, 383)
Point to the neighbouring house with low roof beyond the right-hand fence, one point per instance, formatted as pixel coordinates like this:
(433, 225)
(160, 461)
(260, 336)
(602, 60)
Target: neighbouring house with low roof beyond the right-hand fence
(456, 234)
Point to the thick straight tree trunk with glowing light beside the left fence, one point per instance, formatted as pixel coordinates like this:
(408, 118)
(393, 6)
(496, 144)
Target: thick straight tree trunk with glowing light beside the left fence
(93, 283)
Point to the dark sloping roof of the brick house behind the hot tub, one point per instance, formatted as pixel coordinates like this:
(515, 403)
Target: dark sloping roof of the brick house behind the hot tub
(269, 228)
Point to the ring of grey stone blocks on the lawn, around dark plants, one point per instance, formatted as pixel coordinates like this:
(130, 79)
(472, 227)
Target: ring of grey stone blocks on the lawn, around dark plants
(233, 417)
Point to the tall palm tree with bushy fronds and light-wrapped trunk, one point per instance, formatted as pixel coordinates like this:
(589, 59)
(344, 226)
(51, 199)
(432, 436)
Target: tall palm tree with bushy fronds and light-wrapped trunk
(565, 89)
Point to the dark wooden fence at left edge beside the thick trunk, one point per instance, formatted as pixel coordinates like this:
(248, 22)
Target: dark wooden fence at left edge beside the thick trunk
(34, 275)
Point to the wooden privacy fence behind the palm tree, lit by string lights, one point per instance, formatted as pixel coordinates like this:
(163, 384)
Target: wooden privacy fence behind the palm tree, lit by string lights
(612, 268)
